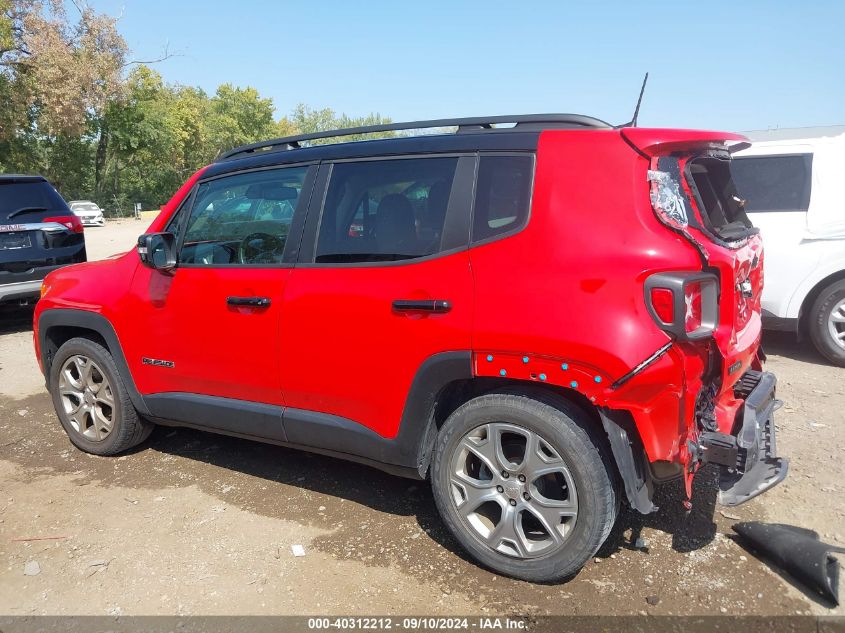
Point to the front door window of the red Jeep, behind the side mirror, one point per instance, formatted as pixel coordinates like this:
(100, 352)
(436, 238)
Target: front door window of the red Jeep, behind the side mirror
(242, 219)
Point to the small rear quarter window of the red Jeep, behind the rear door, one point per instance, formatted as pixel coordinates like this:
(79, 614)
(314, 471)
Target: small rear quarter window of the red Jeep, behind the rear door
(503, 195)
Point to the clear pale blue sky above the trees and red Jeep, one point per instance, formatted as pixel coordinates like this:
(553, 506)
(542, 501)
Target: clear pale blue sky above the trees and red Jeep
(741, 65)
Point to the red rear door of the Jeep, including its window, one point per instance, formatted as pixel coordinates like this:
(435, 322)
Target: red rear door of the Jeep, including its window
(383, 284)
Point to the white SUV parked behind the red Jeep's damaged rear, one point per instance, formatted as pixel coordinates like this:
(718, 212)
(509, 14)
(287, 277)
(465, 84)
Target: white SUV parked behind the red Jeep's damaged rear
(793, 183)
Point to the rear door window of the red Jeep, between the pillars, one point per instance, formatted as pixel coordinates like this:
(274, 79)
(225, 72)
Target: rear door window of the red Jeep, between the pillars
(385, 210)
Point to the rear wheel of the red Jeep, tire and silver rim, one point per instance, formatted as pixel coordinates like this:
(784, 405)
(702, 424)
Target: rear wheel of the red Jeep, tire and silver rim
(523, 485)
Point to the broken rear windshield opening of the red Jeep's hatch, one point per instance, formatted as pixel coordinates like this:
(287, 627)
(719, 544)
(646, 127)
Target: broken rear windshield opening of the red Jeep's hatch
(722, 209)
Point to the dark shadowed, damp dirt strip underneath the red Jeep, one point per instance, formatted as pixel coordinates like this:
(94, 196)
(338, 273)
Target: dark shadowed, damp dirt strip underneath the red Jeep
(377, 519)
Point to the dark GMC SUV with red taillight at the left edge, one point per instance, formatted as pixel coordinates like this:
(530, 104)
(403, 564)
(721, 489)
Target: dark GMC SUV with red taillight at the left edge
(37, 230)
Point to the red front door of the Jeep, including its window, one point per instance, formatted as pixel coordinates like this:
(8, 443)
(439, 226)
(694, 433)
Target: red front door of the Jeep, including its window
(211, 327)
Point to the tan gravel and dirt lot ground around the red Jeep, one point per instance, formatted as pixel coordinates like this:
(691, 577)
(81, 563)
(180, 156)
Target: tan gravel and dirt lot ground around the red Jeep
(193, 523)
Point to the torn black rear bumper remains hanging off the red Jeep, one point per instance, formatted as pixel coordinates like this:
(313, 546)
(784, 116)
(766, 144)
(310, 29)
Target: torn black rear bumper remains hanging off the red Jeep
(749, 461)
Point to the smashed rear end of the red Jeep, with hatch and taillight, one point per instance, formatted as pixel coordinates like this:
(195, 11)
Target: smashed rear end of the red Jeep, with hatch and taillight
(693, 194)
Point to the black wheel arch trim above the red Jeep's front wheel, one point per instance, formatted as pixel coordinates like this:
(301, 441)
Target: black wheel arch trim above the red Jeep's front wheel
(84, 319)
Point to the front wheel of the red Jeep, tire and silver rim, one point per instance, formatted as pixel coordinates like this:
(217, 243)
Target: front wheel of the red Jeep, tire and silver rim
(92, 402)
